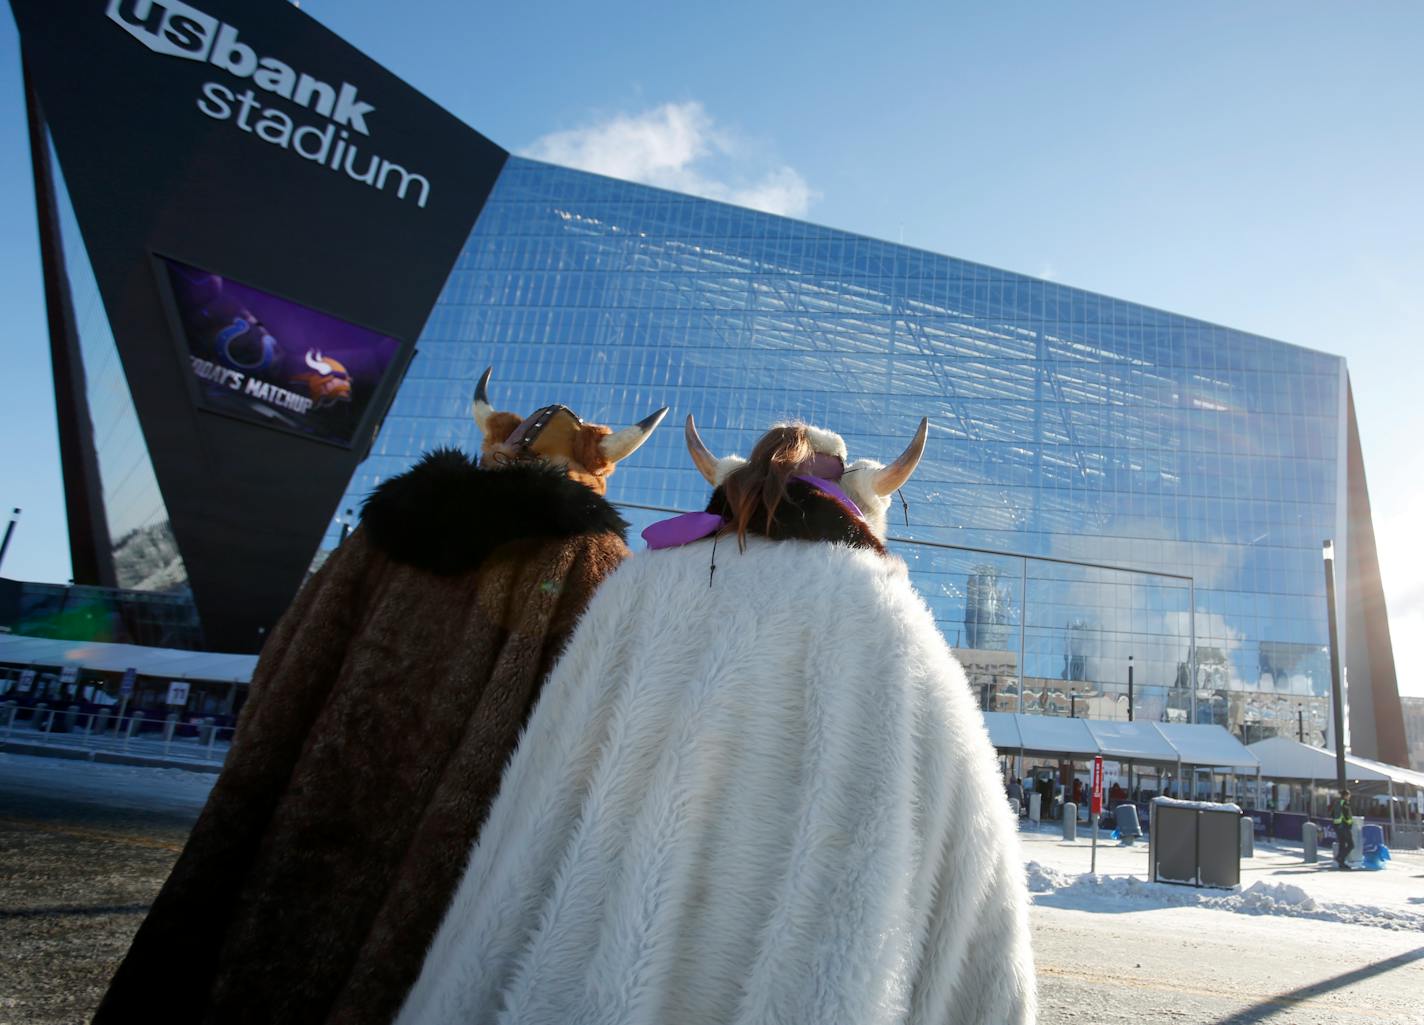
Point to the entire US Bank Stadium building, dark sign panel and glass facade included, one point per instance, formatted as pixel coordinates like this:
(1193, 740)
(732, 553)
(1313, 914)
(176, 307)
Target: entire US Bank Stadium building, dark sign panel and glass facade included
(1119, 519)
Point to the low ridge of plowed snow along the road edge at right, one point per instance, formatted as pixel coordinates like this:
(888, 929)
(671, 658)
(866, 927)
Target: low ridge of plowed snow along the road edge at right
(1129, 893)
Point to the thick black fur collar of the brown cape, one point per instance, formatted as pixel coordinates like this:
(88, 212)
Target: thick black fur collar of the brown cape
(446, 515)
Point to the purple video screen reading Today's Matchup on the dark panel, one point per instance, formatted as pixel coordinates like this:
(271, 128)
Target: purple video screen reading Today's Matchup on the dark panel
(276, 362)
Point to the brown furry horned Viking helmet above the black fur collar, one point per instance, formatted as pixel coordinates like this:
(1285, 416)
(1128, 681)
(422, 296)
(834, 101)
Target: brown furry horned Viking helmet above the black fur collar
(559, 438)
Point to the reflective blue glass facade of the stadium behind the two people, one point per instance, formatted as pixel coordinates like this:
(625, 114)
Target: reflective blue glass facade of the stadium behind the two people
(1094, 466)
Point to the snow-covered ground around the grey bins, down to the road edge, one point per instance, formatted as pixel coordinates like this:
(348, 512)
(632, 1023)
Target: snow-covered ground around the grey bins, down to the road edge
(1277, 882)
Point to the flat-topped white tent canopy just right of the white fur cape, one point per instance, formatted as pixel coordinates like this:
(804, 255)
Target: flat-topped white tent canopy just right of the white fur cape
(1161, 744)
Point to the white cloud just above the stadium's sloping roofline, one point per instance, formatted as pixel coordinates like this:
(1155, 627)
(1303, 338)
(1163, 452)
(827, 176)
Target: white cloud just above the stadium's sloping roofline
(679, 147)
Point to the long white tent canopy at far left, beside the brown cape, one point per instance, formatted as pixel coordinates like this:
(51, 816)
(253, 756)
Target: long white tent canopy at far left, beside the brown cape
(162, 663)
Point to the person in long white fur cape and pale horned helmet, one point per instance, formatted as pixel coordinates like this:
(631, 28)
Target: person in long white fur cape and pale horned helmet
(755, 789)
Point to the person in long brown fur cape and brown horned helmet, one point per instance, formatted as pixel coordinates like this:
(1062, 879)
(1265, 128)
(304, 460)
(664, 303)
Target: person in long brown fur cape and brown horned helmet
(381, 715)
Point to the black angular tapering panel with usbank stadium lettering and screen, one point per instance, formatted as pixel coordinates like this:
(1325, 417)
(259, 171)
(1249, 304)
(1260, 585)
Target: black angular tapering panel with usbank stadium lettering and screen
(243, 140)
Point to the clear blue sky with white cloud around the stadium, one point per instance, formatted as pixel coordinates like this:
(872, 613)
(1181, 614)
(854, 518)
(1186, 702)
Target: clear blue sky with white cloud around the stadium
(1257, 166)
